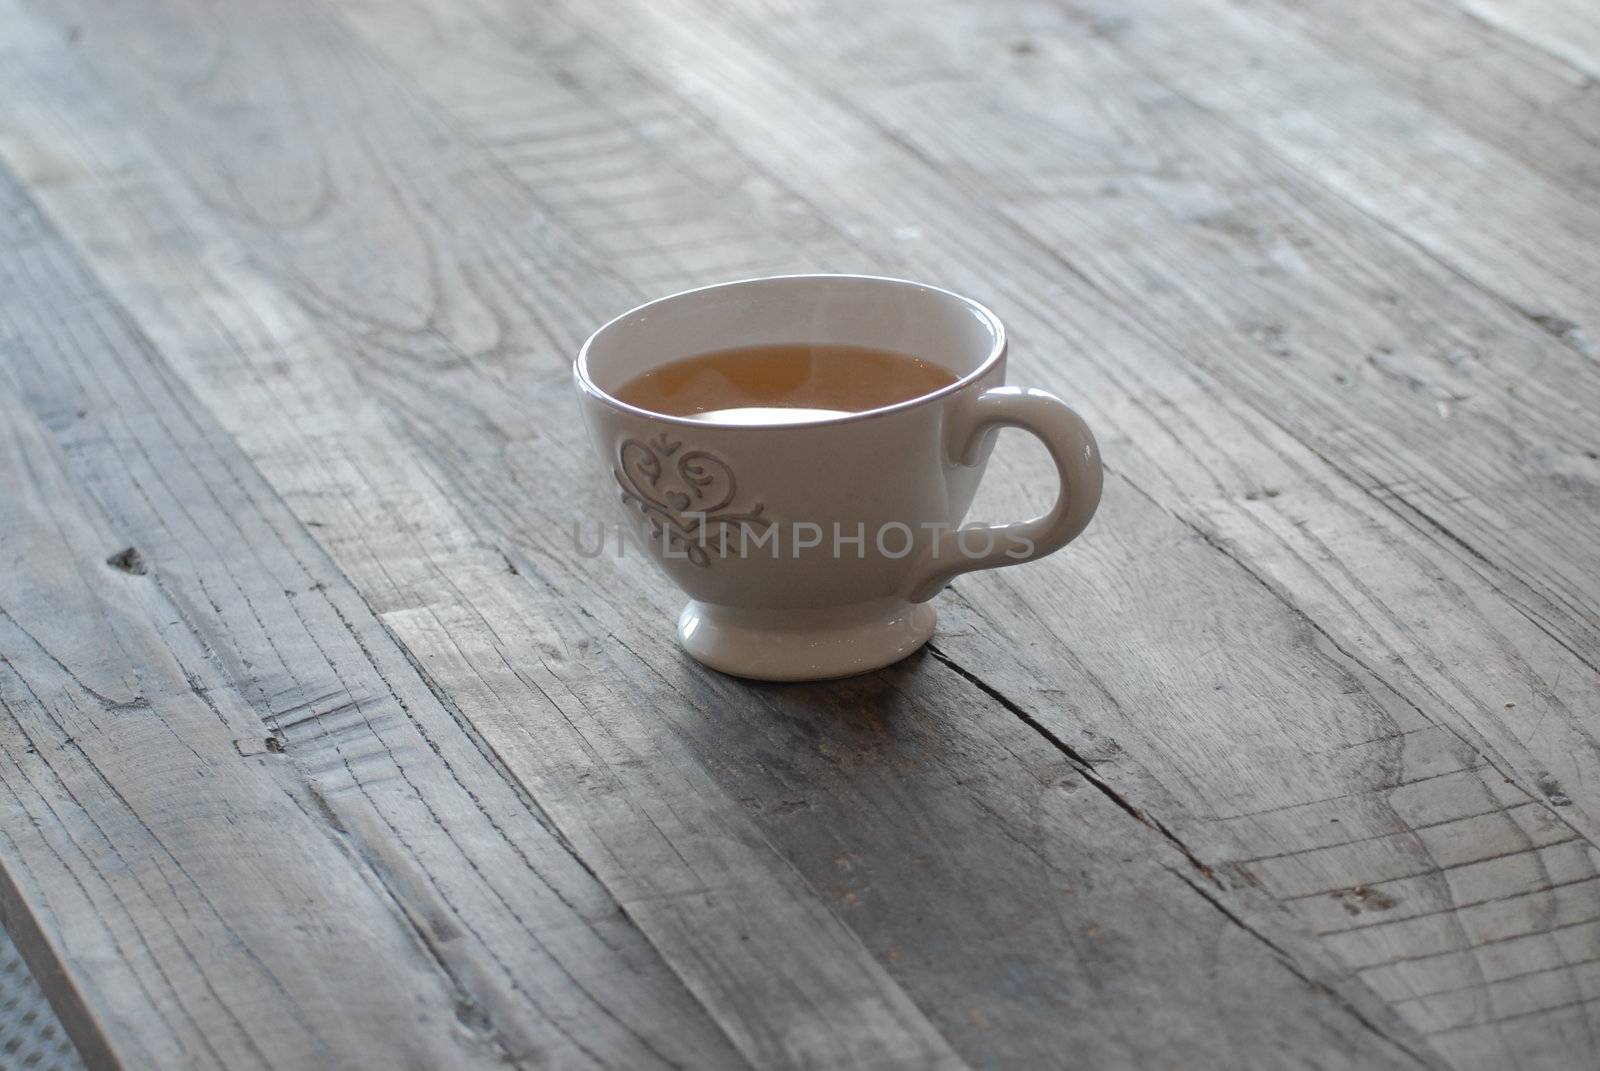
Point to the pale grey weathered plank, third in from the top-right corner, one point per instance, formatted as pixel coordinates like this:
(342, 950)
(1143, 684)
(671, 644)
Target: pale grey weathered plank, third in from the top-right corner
(1479, 209)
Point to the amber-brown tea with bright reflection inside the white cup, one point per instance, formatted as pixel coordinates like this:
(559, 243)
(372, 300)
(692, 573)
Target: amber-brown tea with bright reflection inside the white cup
(783, 383)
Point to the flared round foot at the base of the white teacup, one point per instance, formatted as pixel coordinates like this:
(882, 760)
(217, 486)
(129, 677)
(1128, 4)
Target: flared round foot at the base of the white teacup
(804, 644)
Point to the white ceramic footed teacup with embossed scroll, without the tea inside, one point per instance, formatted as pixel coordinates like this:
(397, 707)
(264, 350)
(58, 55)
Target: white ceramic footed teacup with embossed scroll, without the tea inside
(812, 550)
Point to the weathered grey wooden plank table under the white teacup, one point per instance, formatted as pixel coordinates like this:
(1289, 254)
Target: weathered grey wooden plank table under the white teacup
(324, 748)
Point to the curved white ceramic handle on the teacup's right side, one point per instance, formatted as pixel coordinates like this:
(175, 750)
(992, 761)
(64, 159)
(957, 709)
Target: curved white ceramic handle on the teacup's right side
(1078, 460)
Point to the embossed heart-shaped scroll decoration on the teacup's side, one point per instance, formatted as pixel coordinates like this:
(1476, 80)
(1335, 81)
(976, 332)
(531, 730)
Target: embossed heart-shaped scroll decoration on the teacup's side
(686, 497)
